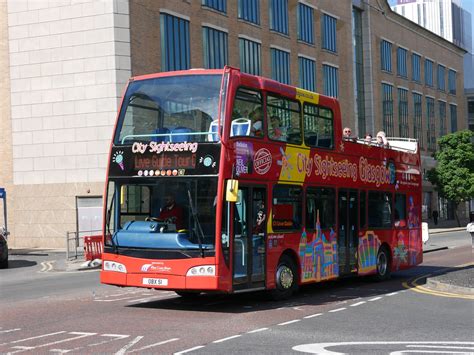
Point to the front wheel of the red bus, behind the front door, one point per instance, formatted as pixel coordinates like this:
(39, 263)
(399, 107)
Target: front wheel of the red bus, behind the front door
(285, 278)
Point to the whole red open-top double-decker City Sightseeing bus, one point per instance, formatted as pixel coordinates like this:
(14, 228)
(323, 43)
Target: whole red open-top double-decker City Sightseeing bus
(224, 181)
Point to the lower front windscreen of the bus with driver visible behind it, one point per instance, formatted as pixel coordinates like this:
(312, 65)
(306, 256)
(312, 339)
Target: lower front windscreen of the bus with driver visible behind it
(157, 213)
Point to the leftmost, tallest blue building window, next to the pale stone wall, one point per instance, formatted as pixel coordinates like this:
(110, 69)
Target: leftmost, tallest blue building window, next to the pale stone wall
(175, 48)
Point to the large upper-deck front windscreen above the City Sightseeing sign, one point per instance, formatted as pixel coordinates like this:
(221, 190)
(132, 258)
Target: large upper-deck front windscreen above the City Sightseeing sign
(170, 109)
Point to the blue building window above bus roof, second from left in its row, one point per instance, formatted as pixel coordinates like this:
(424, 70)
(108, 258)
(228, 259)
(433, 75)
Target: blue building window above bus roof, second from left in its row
(214, 48)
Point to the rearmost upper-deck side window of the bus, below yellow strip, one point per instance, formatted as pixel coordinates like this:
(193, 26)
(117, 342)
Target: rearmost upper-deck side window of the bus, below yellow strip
(318, 126)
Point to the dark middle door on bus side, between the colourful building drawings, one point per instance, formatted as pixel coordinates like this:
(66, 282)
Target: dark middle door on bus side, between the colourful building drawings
(348, 234)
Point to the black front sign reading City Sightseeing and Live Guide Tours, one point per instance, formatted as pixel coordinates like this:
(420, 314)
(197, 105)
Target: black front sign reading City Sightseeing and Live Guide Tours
(161, 159)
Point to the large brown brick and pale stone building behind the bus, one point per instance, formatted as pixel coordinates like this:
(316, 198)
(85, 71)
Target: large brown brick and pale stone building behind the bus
(67, 61)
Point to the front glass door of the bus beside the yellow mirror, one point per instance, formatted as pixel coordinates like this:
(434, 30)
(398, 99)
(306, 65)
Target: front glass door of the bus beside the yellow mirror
(249, 227)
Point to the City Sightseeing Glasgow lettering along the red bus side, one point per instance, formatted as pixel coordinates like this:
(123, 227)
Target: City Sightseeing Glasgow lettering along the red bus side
(343, 169)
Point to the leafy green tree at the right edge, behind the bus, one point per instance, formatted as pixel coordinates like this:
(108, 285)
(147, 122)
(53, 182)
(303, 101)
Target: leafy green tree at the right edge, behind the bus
(453, 177)
